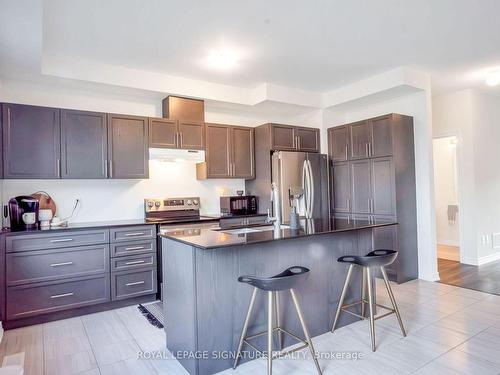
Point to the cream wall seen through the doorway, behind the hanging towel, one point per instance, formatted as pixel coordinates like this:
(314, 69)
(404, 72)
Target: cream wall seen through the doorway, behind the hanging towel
(445, 187)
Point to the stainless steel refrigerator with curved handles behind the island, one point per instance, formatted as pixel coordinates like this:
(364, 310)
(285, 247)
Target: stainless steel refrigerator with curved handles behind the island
(306, 173)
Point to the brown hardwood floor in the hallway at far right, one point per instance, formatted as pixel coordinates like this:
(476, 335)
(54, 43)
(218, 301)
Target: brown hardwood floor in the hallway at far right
(484, 278)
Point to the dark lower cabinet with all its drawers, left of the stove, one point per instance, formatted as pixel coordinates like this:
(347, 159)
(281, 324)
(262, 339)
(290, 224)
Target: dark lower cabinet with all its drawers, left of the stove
(52, 271)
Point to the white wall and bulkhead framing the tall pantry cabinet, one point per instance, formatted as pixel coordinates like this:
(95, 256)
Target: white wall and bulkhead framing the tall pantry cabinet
(417, 105)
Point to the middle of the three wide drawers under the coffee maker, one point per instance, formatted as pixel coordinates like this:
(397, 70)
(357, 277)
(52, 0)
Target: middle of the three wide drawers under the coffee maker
(44, 265)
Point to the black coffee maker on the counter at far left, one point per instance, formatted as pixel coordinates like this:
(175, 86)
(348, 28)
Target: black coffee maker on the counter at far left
(23, 213)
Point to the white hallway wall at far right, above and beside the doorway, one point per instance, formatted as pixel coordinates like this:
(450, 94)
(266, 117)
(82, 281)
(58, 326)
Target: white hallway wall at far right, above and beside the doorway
(475, 118)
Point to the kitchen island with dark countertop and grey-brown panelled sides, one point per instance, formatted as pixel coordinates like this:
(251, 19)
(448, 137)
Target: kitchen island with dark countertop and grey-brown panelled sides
(205, 305)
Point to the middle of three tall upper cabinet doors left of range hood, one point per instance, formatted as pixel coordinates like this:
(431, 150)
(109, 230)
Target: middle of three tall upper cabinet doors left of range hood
(83, 144)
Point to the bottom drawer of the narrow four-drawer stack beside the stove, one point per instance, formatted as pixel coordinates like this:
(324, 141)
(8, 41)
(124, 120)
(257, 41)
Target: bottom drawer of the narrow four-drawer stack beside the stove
(128, 284)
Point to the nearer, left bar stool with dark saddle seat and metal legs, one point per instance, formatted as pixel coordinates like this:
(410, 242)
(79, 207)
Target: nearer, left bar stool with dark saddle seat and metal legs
(284, 281)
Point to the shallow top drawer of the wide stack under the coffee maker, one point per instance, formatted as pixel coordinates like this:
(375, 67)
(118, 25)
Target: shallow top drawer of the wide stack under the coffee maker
(56, 240)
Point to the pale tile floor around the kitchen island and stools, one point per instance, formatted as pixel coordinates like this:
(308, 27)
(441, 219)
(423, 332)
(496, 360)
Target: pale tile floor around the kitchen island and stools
(450, 331)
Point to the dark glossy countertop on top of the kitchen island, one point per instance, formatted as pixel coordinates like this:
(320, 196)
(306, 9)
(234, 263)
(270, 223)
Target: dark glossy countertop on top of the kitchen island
(211, 238)
